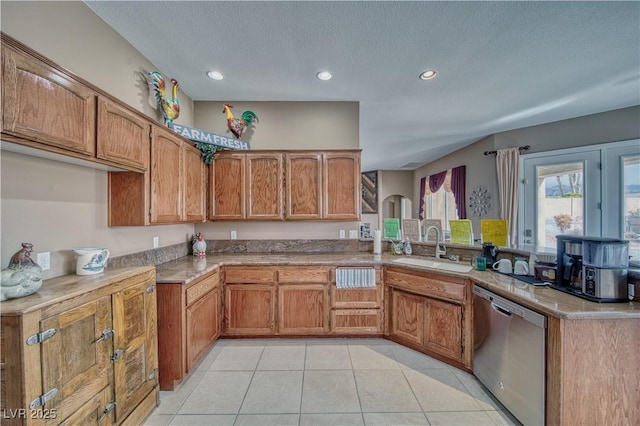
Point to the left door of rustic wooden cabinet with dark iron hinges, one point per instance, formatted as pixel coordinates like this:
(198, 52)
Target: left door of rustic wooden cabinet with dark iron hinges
(76, 360)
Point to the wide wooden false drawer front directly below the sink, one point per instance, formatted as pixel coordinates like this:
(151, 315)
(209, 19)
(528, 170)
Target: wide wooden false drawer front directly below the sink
(450, 288)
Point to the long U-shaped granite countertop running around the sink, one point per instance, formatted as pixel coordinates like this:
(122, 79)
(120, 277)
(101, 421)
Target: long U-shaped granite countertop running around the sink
(539, 298)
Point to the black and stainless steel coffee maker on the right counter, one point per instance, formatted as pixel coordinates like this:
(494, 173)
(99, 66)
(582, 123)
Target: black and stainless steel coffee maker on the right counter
(594, 268)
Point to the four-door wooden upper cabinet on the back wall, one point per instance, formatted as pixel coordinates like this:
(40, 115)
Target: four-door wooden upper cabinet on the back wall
(285, 185)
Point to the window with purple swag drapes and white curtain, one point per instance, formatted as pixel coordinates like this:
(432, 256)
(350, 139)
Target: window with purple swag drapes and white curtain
(442, 196)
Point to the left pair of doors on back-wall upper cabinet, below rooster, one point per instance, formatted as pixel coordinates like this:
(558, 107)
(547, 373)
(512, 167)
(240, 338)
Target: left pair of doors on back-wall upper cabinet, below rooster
(247, 186)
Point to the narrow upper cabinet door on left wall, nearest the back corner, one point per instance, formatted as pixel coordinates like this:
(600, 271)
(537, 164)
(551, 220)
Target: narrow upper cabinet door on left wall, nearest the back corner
(195, 185)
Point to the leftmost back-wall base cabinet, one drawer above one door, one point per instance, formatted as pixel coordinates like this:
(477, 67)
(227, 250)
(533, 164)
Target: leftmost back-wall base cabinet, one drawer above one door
(249, 301)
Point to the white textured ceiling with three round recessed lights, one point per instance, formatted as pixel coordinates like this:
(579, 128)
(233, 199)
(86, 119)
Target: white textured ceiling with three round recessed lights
(501, 65)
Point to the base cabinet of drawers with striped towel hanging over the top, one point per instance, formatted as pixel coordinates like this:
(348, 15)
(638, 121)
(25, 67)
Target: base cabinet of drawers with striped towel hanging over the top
(356, 311)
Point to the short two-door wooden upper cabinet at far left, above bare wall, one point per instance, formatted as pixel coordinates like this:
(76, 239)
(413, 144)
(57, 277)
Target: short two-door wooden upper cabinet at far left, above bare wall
(48, 108)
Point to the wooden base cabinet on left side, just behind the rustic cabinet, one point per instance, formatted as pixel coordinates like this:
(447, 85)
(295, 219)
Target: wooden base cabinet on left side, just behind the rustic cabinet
(189, 321)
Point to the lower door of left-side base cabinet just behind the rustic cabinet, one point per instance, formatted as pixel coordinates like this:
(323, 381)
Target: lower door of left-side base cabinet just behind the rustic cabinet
(202, 326)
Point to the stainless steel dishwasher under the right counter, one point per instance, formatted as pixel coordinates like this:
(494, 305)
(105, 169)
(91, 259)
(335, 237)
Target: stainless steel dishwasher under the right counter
(509, 357)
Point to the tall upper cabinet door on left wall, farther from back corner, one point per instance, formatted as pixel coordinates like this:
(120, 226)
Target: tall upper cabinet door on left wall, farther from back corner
(166, 177)
